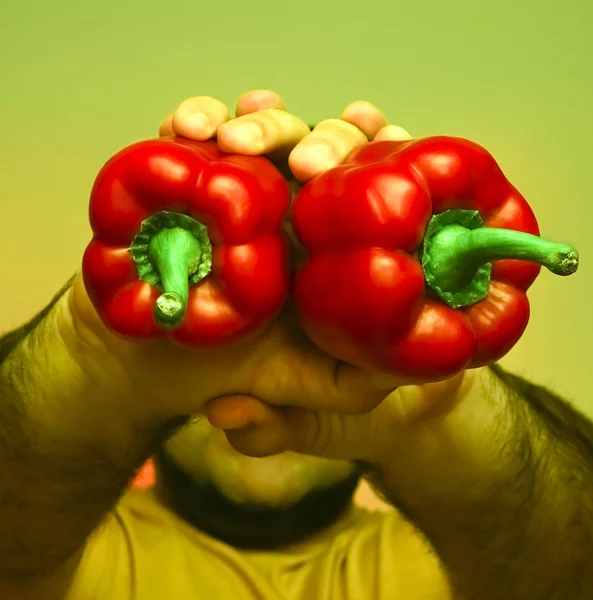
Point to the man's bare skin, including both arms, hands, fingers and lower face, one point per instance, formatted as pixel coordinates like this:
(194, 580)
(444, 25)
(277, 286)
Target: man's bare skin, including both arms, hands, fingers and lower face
(494, 471)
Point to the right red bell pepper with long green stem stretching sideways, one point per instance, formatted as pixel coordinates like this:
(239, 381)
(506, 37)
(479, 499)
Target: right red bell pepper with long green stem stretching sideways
(420, 254)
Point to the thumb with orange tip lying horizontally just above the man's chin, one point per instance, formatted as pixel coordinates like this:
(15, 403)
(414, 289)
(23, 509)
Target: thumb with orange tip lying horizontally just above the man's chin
(258, 429)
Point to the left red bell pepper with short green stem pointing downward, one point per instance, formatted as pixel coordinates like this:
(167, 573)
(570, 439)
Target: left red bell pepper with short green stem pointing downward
(188, 242)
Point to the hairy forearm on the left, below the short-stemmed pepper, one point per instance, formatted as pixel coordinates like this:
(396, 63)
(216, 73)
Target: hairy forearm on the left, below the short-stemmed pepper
(69, 444)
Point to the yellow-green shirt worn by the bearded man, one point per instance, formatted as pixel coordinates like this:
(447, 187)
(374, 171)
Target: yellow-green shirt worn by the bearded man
(145, 552)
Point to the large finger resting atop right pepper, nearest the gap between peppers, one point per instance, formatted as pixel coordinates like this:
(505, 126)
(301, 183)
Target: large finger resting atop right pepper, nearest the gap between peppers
(324, 148)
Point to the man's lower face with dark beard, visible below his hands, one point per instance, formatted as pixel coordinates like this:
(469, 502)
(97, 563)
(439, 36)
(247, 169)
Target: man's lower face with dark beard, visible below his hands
(250, 502)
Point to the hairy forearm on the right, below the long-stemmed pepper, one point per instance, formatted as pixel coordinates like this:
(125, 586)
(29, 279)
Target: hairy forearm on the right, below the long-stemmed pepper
(503, 489)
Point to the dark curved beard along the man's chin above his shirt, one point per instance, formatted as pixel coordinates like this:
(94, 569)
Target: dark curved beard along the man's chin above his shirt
(249, 525)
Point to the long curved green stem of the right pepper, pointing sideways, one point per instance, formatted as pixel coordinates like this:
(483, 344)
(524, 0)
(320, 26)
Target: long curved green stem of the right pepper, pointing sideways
(458, 252)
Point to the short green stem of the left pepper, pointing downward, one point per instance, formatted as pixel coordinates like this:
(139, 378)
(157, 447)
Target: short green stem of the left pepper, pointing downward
(175, 254)
